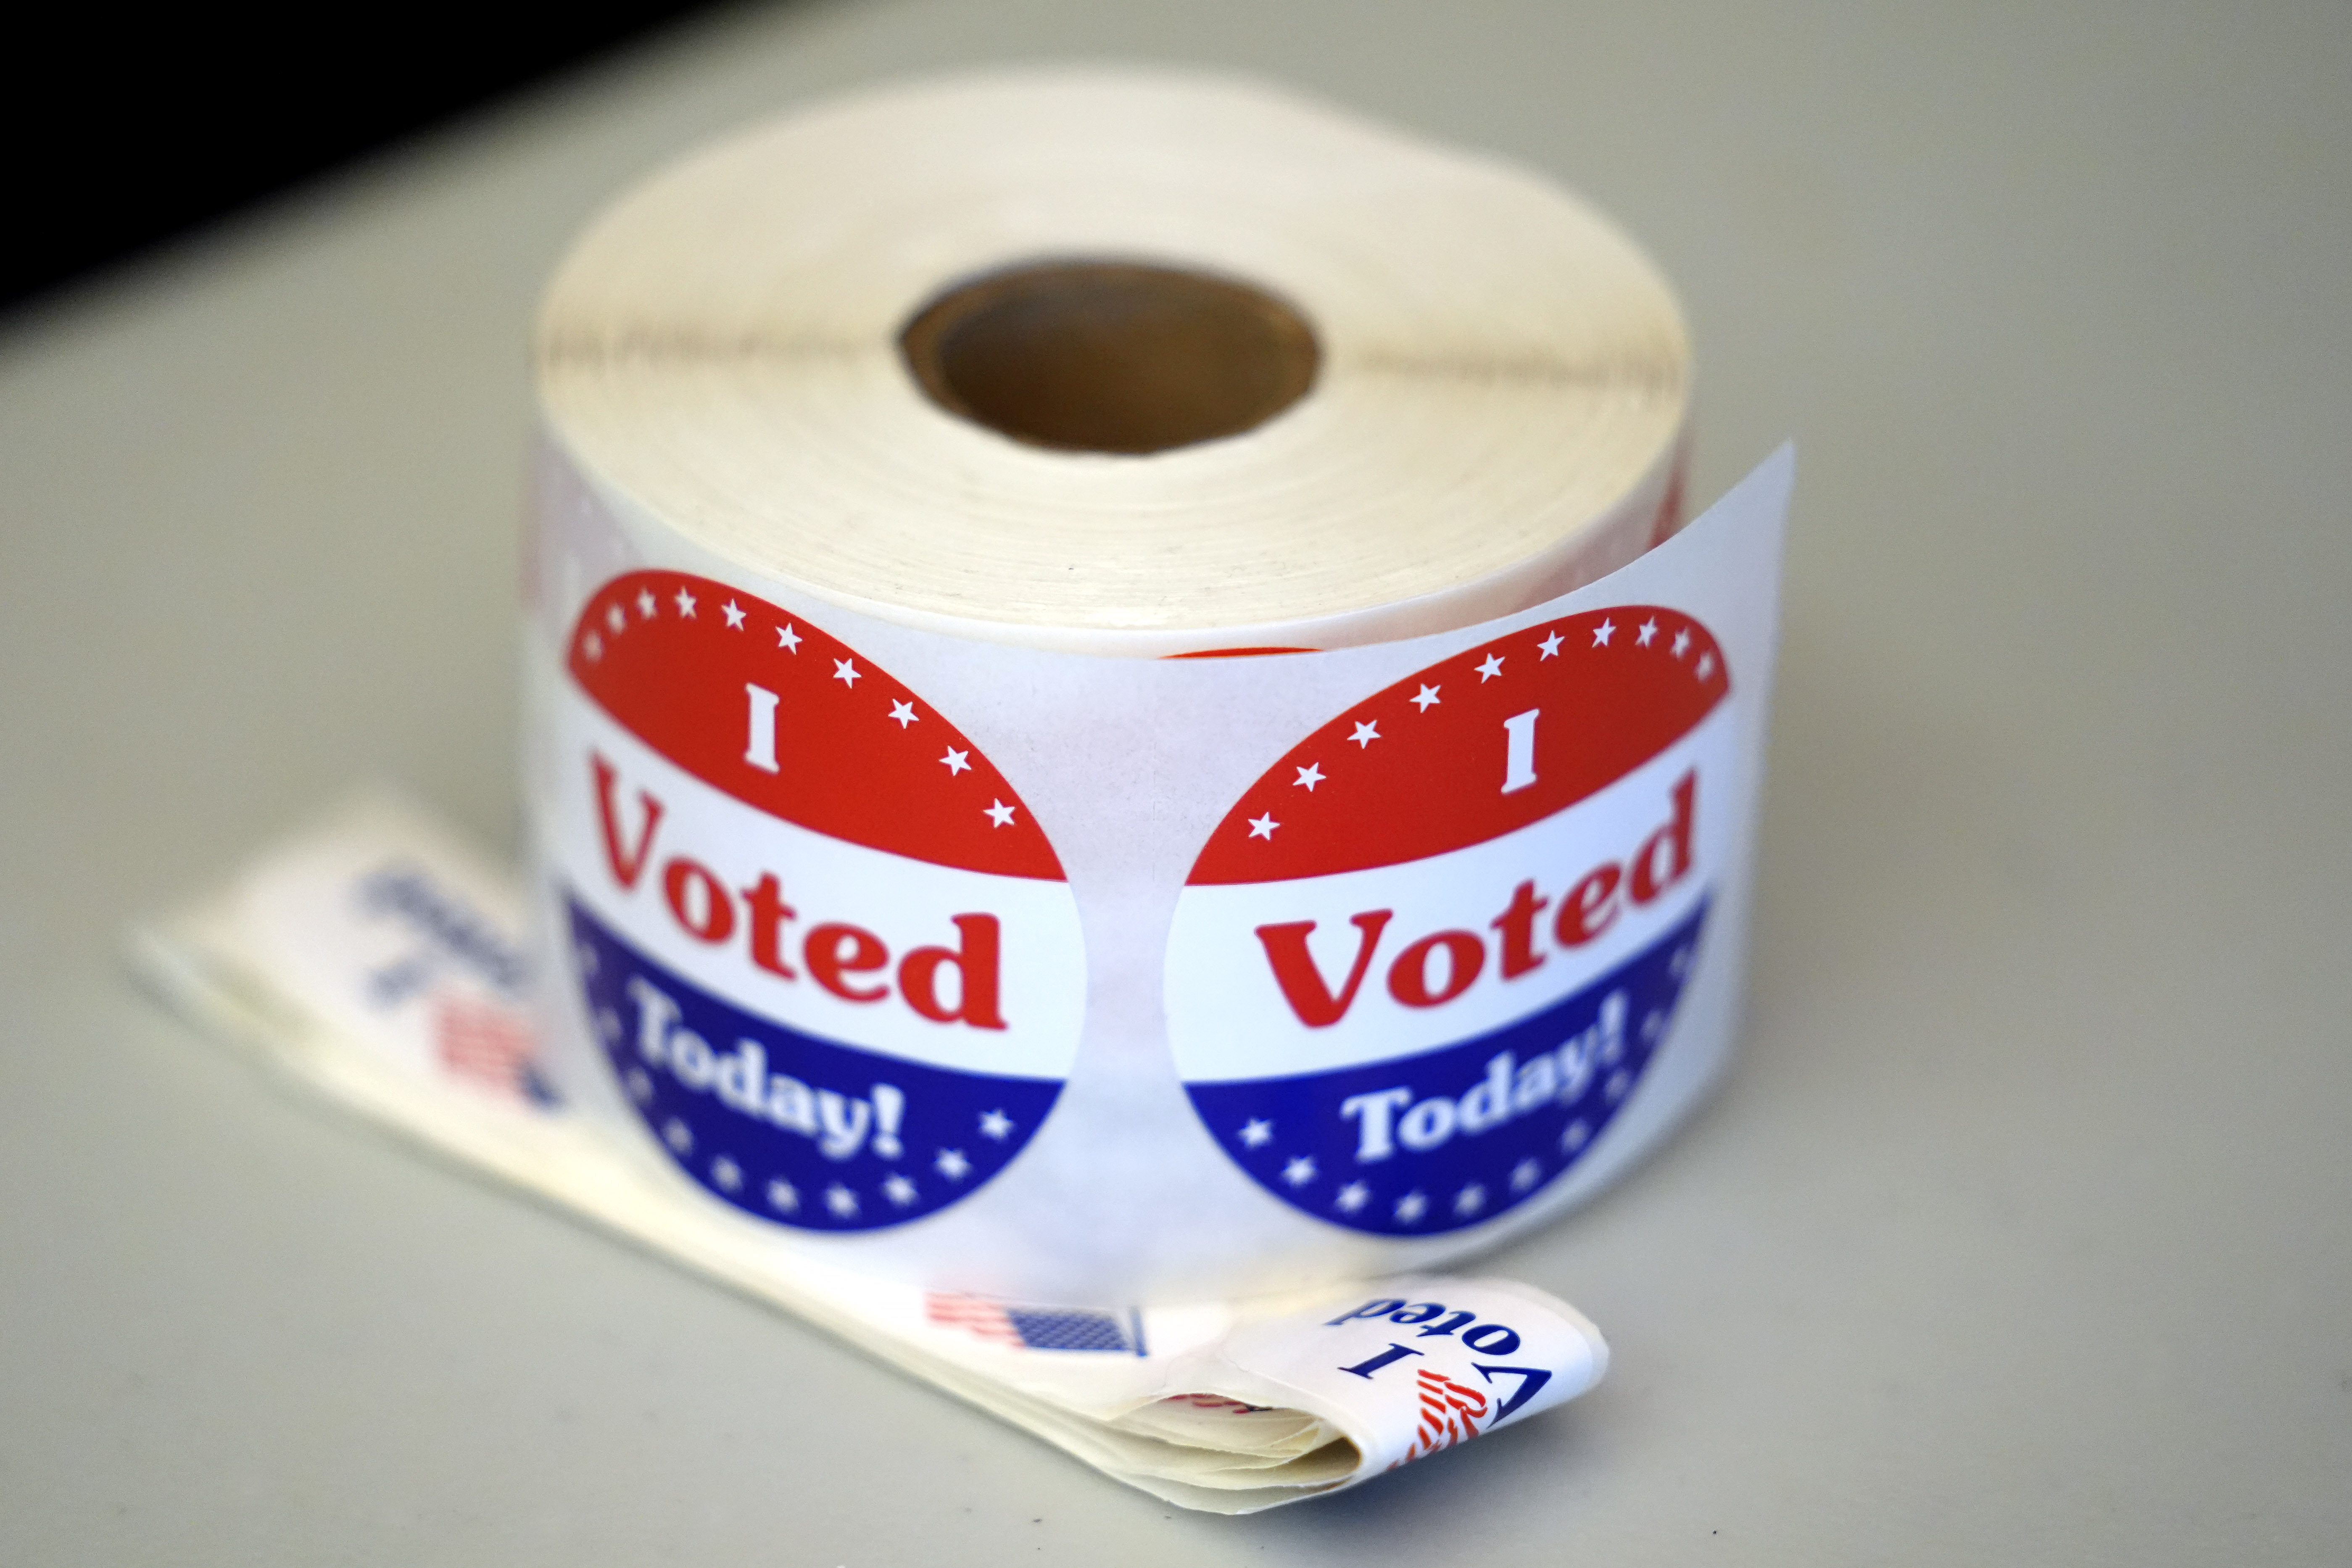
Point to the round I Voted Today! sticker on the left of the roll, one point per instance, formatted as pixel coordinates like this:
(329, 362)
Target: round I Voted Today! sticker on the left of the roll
(827, 951)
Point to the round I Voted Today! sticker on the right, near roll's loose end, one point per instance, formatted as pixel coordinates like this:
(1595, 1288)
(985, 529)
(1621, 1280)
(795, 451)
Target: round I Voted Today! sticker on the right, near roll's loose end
(1429, 958)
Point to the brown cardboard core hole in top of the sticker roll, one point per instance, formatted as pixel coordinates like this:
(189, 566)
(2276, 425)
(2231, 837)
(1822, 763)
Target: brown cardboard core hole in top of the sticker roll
(1111, 356)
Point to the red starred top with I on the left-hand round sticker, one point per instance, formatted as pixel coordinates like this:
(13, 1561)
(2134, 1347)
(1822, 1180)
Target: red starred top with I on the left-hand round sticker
(784, 718)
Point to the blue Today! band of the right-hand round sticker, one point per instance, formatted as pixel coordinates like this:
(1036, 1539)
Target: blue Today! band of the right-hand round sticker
(1462, 1134)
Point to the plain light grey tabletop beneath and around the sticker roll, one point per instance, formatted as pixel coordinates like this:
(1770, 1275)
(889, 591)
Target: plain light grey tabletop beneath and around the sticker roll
(2024, 1226)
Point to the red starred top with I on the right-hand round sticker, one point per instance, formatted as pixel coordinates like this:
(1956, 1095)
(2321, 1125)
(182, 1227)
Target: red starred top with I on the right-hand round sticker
(1476, 746)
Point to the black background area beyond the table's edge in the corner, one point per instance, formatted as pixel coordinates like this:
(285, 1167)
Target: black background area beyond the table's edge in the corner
(131, 126)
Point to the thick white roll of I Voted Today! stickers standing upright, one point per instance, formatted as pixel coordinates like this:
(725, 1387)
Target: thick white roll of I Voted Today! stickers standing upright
(918, 892)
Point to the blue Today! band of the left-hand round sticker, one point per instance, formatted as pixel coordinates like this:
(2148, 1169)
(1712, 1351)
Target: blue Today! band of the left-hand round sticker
(791, 1127)
